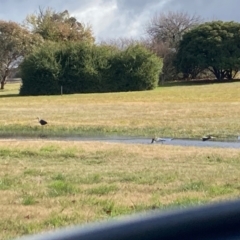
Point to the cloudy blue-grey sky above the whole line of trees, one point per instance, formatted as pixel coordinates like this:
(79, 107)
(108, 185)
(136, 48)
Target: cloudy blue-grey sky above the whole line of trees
(111, 19)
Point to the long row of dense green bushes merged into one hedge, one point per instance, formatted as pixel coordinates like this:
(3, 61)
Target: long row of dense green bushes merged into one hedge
(83, 67)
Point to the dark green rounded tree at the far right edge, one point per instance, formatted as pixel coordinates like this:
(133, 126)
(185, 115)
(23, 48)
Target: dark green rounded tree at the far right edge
(214, 46)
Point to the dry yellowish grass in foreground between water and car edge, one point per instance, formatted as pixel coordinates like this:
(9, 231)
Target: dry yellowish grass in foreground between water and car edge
(49, 184)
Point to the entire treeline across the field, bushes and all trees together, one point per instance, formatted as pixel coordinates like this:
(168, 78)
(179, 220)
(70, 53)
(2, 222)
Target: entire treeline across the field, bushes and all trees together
(60, 53)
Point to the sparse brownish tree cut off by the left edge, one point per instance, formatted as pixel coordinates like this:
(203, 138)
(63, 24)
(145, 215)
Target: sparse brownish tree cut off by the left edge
(15, 43)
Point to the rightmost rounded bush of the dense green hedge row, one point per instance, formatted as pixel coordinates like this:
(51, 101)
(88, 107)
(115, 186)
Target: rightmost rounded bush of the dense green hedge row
(135, 69)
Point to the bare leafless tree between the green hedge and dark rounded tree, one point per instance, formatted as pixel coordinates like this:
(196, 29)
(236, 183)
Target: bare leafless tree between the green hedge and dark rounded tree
(165, 30)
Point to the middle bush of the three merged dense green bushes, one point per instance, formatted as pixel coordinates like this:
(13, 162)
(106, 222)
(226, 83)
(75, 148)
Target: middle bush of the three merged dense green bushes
(84, 67)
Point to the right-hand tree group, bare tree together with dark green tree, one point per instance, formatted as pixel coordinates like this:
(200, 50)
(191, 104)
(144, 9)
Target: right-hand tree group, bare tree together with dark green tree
(192, 48)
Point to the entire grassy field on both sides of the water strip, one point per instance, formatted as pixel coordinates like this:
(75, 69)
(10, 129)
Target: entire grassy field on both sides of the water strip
(50, 184)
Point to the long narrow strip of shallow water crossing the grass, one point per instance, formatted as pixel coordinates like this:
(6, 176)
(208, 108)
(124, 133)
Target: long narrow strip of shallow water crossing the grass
(138, 140)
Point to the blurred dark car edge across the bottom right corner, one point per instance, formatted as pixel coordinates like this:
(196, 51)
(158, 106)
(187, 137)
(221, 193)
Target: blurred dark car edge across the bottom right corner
(217, 221)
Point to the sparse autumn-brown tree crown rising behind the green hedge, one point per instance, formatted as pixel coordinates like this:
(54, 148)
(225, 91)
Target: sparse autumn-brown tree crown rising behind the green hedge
(58, 26)
